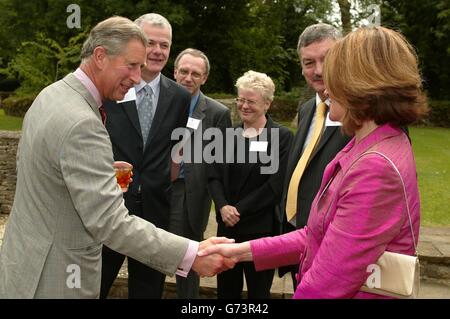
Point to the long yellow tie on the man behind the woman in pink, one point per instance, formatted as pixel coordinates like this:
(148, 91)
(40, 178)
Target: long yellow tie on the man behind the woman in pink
(291, 202)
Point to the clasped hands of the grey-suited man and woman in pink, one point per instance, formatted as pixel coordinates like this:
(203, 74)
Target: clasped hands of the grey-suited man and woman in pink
(217, 254)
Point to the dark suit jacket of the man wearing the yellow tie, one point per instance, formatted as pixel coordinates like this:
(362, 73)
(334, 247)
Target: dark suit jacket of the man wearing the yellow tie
(331, 142)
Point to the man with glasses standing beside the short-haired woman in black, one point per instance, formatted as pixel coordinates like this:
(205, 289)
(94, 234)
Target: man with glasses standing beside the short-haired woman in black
(191, 203)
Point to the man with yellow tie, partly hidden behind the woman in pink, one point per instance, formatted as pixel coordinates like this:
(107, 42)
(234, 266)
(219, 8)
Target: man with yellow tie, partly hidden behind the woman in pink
(317, 140)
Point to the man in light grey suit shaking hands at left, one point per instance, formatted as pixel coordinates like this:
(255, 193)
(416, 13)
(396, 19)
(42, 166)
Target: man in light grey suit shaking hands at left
(68, 203)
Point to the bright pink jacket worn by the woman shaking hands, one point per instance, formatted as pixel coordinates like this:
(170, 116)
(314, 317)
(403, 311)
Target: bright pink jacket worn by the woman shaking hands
(360, 215)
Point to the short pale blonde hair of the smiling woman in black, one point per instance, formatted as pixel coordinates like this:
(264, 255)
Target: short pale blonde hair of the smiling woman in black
(257, 81)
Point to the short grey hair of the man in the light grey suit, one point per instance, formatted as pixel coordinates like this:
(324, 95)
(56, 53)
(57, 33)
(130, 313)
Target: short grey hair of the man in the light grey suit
(113, 34)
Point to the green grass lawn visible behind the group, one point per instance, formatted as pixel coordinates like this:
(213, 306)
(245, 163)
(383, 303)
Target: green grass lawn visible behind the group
(432, 152)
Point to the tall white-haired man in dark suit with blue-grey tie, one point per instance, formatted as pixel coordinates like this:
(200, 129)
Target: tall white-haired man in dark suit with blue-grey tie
(140, 130)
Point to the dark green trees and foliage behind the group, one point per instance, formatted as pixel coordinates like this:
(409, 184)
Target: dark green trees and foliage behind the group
(237, 35)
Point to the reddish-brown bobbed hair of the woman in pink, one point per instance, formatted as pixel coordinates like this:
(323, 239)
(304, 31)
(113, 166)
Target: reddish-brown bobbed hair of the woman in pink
(373, 74)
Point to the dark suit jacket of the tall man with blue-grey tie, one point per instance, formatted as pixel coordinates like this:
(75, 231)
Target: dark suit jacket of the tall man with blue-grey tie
(151, 167)
